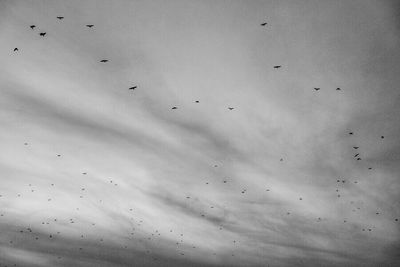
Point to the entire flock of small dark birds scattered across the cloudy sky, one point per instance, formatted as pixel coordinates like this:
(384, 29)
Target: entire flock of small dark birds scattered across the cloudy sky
(29, 230)
